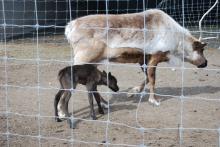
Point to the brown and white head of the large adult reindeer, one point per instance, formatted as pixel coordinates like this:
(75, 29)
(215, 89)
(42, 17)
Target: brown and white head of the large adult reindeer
(196, 56)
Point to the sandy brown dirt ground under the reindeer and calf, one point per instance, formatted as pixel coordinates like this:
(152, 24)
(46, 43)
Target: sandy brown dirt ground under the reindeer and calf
(32, 85)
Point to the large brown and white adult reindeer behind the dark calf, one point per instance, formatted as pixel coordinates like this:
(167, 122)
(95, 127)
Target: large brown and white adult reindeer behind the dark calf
(119, 38)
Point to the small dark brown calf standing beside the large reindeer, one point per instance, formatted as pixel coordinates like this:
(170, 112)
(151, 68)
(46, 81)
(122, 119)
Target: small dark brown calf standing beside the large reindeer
(87, 75)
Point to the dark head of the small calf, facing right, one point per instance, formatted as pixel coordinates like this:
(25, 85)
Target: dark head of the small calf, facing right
(111, 82)
